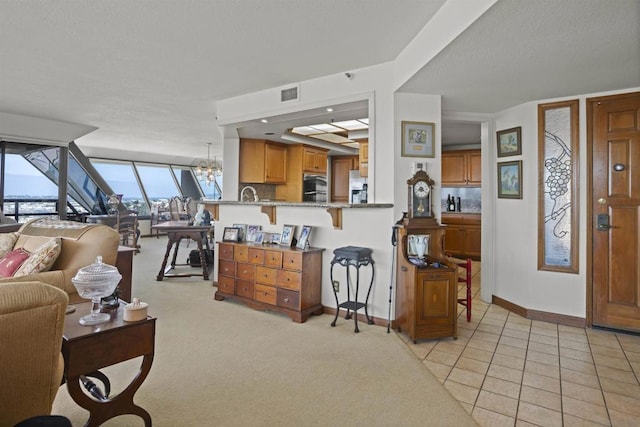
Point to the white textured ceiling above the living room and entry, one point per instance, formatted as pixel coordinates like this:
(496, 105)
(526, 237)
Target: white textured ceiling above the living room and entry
(147, 74)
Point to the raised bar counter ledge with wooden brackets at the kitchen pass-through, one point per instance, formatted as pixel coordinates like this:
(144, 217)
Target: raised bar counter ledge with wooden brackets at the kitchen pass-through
(268, 207)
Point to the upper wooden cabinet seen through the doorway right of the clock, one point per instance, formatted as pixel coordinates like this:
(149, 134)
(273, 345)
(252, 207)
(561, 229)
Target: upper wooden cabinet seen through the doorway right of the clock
(461, 168)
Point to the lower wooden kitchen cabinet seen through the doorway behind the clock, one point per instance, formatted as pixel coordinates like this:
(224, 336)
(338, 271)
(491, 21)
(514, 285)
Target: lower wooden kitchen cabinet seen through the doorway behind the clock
(463, 235)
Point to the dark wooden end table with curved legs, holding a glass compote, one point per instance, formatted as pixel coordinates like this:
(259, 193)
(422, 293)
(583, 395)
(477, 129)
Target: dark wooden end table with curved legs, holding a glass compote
(86, 349)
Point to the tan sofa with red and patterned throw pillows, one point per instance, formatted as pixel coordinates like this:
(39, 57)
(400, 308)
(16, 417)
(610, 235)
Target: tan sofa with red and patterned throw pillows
(79, 245)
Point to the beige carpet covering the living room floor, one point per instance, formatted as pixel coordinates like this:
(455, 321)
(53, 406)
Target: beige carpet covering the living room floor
(223, 364)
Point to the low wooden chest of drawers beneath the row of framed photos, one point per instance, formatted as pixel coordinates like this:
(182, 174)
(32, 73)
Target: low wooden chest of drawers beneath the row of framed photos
(282, 279)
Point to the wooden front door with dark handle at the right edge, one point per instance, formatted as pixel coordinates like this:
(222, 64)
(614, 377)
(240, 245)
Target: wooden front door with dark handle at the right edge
(614, 137)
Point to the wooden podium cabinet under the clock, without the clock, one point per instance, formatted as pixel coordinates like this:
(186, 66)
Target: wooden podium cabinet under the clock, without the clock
(426, 294)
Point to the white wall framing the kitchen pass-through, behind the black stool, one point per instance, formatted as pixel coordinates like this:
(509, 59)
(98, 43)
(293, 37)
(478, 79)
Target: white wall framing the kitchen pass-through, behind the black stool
(367, 227)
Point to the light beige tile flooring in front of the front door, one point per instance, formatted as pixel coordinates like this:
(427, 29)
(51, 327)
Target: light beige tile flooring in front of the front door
(506, 370)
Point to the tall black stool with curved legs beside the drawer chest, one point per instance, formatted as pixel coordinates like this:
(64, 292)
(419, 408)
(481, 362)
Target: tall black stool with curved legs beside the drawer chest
(352, 256)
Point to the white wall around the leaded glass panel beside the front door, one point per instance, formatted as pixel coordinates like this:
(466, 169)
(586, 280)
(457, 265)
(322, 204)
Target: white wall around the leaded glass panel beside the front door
(515, 261)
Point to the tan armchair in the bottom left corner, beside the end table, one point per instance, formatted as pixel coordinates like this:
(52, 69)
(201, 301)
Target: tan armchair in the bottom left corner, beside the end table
(31, 363)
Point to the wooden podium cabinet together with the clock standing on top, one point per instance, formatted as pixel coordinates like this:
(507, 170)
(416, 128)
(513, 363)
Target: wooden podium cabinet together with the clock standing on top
(426, 284)
